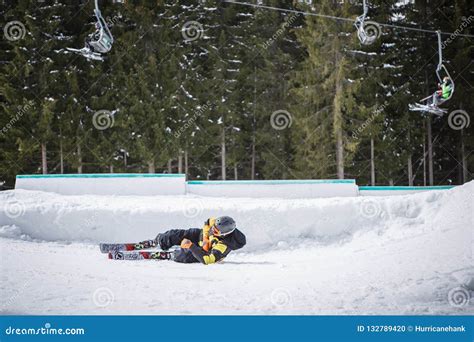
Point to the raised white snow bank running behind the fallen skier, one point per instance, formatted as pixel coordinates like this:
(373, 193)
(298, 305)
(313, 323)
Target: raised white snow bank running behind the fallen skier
(266, 222)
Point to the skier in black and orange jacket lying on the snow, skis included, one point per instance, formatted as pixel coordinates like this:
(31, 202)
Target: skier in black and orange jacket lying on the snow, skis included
(208, 245)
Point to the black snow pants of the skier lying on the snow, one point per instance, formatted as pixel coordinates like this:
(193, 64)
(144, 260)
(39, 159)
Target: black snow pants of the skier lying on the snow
(174, 237)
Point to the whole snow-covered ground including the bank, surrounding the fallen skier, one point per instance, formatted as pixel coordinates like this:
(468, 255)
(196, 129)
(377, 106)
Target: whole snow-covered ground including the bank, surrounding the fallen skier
(408, 254)
